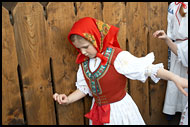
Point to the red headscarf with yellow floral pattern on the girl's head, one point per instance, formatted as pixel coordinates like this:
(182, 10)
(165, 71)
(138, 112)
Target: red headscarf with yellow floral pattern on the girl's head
(101, 35)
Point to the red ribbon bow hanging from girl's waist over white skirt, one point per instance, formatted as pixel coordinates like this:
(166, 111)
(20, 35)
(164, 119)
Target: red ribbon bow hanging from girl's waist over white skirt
(99, 114)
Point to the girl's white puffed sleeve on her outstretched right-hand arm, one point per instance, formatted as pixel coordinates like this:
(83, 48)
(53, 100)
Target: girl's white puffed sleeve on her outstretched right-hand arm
(137, 68)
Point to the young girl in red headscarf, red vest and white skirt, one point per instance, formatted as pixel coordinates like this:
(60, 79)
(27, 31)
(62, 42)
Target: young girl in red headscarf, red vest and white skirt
(103, 71)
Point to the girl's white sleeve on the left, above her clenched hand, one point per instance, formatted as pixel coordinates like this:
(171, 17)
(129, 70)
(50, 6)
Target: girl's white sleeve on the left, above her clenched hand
(81, 83)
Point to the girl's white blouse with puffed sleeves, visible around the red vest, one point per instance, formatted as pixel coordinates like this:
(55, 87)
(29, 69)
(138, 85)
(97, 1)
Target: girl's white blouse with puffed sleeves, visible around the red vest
(125, 63)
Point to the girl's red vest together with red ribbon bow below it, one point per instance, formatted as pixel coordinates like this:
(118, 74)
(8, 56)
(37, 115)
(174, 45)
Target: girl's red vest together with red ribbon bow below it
(112, 90)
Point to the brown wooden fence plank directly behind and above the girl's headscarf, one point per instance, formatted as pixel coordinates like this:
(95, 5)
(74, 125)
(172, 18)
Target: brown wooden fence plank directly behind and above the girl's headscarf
(88, 9)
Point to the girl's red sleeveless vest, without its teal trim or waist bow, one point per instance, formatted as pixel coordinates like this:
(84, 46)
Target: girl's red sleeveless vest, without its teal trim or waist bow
(112, 83)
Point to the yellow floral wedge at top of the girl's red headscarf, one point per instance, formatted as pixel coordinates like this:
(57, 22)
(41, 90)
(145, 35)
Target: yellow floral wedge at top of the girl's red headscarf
(103, 28)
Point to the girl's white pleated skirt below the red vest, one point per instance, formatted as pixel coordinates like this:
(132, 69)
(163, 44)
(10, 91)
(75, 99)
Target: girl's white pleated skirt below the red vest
(123, 112)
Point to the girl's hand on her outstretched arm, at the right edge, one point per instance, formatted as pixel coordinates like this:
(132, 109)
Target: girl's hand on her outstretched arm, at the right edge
(181, 83)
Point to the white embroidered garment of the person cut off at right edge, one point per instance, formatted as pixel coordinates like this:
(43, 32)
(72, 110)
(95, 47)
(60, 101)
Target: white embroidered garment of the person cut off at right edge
(175, 101)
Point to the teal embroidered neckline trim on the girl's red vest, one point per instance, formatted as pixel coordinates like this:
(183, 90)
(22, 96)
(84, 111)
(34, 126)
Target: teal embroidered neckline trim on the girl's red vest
(94, 77)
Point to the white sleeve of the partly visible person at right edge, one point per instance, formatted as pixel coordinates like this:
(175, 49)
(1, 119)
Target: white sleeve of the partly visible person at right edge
(182, 52)
